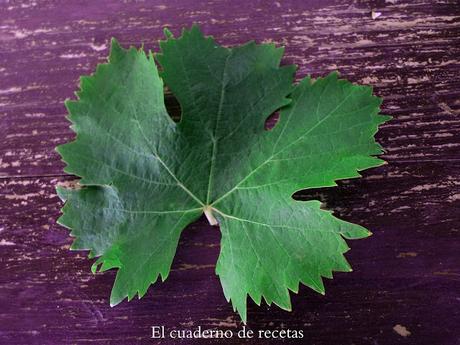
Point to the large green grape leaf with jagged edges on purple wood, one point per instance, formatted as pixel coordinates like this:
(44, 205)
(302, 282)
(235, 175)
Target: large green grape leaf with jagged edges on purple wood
(144, 178)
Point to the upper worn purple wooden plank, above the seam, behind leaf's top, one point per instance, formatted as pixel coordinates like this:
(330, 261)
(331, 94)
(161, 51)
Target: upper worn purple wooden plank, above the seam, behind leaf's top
(410, 54)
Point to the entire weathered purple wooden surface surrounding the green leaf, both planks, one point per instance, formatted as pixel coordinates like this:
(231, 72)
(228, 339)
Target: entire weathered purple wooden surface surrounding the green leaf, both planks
(407, 274)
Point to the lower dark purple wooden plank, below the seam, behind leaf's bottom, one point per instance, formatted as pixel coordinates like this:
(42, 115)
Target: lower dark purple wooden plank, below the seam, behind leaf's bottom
(406, 274)
